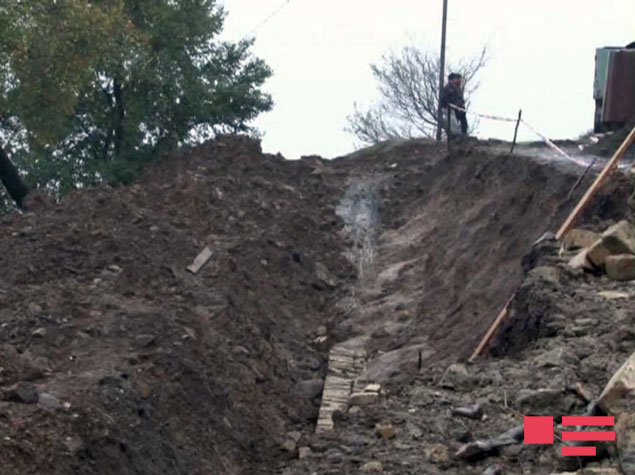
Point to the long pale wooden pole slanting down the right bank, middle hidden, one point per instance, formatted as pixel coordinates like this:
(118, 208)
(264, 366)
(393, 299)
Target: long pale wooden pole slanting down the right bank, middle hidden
(563, 230)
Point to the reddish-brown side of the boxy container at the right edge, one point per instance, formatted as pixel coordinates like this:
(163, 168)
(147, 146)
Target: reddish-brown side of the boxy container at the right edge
(619, 105)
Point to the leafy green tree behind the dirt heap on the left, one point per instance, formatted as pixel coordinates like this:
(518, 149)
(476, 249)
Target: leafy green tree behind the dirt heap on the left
(91, 89)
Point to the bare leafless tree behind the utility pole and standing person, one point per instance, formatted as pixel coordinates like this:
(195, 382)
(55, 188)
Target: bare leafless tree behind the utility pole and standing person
(408, 83)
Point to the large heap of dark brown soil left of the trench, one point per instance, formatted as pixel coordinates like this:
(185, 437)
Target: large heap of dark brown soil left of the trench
(142, 367)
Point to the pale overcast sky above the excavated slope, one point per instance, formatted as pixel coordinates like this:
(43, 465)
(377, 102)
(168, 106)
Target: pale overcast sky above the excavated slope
(541, 60)
